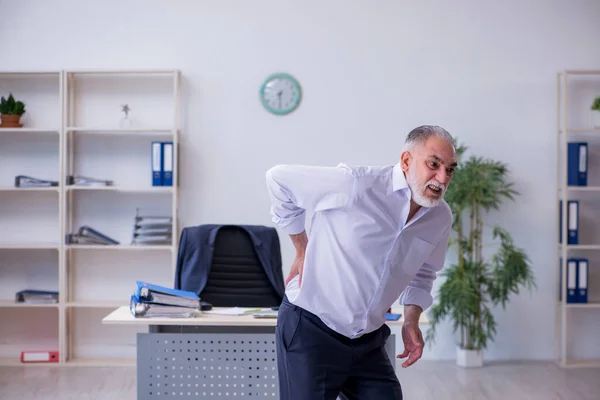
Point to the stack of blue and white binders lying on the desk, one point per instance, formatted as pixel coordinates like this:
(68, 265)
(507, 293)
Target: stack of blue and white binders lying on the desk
(149, 300)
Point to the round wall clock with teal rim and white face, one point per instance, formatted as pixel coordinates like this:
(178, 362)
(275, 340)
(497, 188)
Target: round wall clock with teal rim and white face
(280, 93)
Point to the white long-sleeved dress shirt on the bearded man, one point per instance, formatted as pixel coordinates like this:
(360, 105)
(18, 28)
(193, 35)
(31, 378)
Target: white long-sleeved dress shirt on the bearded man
(361, 254)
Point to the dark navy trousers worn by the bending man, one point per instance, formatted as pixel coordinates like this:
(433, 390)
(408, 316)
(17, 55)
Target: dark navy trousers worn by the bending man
(316, 363)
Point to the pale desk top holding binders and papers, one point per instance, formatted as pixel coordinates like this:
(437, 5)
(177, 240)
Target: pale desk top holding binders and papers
(122, 315)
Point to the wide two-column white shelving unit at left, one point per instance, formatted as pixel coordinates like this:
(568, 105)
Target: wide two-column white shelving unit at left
(72, 126)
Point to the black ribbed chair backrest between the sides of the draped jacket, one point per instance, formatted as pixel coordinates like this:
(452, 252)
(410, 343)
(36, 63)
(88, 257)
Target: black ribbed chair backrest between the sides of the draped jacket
(236, 276)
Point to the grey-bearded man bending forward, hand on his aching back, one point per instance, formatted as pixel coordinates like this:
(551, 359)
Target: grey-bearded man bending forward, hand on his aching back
(377, 234)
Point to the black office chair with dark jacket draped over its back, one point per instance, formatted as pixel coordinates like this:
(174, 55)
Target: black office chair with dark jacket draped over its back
(231, 265)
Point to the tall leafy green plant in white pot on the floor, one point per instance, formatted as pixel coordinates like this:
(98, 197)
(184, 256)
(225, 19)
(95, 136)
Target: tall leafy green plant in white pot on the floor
(478, 281)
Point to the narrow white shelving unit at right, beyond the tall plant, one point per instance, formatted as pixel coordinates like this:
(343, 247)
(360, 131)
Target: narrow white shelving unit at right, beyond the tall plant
(576, 323)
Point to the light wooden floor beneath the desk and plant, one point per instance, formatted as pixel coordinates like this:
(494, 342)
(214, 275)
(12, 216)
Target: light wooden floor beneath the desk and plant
(426, 380)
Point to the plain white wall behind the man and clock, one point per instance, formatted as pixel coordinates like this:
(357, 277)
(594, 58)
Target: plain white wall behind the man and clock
(370, 72)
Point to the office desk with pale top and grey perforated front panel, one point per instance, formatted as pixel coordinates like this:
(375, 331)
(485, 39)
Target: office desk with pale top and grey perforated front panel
(209, 357)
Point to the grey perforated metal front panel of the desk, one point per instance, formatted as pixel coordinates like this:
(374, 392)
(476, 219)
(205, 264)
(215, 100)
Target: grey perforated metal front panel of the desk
(206, 366)
